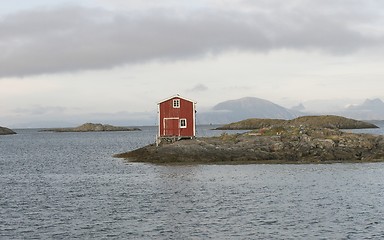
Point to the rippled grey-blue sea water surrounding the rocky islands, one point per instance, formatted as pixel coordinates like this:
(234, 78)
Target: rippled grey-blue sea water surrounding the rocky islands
(67, 186)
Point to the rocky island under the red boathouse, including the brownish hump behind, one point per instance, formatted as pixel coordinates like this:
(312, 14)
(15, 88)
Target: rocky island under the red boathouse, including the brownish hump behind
(295, 141)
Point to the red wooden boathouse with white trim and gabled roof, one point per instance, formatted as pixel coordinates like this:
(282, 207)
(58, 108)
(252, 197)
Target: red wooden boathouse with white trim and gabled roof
(176, 117)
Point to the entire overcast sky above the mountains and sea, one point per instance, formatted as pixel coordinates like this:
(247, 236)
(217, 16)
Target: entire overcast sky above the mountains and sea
(66, 62)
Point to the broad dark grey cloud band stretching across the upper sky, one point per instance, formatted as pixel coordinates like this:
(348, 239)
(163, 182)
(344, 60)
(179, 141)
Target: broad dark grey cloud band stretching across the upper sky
(75, 38)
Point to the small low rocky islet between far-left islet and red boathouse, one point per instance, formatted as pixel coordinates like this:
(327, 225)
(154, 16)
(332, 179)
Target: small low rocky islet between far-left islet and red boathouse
(92, 127)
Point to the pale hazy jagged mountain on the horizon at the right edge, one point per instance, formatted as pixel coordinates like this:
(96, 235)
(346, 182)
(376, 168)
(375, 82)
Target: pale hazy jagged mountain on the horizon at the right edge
(370, 109)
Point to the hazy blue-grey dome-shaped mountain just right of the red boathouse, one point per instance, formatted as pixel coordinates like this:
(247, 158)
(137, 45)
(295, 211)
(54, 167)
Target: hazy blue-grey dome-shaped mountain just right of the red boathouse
(244, 108)
